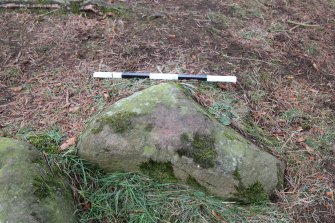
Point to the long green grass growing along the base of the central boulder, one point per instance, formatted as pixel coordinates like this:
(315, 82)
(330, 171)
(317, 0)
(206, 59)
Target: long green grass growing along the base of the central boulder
(133, 197)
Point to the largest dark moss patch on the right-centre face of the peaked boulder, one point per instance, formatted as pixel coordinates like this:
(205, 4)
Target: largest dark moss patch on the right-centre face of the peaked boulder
(202, 149)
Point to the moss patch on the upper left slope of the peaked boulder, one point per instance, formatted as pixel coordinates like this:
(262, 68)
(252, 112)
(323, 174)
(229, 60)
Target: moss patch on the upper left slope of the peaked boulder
(119, 122)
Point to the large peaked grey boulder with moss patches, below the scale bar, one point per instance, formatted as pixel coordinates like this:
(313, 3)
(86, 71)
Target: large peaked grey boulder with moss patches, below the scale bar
(162, 125)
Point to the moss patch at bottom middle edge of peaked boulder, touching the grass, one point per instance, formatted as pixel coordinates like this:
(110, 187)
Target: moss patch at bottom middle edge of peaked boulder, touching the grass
(161, 171)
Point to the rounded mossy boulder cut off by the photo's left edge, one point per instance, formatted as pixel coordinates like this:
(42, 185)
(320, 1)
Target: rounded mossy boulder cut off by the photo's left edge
(29, 192)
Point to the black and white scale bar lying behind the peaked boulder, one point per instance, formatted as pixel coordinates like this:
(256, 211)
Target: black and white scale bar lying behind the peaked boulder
(160, 76)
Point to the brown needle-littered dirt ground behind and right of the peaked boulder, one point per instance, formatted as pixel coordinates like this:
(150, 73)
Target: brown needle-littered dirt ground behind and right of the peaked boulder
(282, 52)
